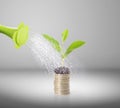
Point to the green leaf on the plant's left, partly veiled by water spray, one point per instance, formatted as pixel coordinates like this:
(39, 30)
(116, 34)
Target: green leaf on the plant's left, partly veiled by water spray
(53, 41)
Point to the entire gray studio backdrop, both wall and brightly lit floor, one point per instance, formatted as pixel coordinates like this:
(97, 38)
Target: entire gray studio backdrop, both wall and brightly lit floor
(95, 77)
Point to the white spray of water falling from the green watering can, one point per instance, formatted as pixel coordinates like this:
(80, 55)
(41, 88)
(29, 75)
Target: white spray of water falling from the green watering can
(44, 53)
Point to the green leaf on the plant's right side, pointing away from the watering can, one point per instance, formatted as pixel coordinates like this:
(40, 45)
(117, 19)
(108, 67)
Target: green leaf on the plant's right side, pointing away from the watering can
(74, 45)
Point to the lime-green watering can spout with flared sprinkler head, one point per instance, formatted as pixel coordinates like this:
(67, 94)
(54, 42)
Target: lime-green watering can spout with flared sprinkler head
(19, 35)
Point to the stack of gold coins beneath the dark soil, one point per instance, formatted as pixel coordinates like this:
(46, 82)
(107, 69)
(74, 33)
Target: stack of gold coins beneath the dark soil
(61, 84)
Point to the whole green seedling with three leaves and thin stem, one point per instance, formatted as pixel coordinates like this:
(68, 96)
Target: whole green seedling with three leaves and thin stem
(59, 48)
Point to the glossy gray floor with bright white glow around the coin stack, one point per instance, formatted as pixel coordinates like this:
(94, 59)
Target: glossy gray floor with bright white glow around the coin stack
(36, 88)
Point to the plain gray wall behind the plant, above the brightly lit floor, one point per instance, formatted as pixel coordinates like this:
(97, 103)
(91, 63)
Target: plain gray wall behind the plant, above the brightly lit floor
(95, 21)
